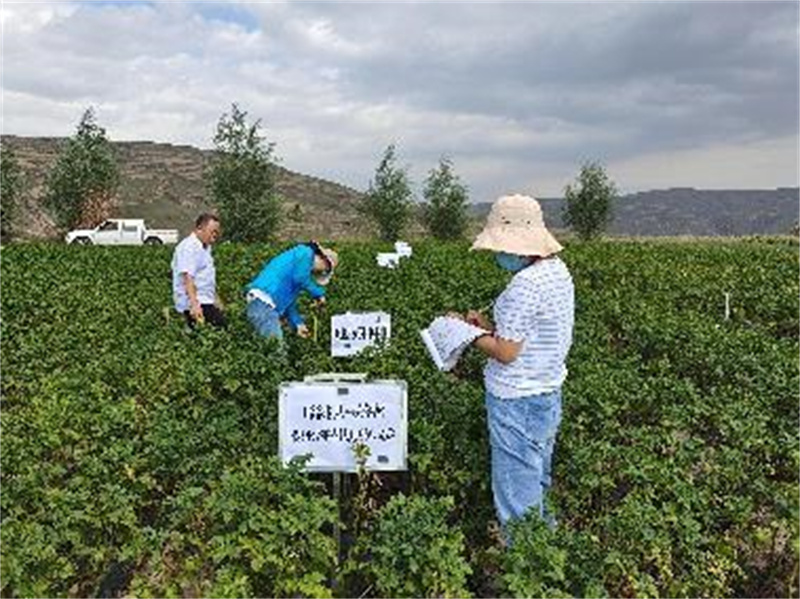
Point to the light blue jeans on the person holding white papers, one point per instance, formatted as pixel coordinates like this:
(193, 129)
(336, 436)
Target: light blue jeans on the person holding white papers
(522, 435)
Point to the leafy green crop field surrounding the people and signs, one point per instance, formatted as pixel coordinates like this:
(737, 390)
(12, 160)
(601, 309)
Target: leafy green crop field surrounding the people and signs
(140, 461)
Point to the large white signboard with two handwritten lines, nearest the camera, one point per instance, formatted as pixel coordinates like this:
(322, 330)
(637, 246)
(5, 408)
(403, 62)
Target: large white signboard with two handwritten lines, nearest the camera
(326, 419)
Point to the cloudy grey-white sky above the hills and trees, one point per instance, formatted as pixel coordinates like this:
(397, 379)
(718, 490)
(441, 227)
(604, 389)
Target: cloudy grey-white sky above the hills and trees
(517, 94)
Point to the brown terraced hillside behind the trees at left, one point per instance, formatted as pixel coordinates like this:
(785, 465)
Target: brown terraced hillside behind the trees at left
(163, 184)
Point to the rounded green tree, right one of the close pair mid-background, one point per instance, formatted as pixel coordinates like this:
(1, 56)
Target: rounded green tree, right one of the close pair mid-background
(445, 210)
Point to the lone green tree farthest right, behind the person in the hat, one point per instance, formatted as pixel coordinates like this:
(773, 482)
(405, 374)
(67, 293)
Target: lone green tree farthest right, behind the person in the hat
(589, 202)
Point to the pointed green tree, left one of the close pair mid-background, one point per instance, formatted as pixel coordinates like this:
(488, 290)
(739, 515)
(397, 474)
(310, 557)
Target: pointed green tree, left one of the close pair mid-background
(388, 201)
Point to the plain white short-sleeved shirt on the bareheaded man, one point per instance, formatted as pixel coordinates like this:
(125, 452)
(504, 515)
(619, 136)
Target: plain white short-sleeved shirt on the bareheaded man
(193, 258)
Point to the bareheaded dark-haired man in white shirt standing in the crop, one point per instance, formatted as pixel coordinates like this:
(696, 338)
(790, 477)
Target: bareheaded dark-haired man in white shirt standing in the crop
(194, 277)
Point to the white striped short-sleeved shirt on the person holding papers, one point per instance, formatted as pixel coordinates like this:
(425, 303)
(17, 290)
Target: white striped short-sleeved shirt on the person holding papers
(537, 308)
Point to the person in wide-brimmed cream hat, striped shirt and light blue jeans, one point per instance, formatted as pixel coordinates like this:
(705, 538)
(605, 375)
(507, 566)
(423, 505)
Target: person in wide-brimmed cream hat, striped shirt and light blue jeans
(527, 347)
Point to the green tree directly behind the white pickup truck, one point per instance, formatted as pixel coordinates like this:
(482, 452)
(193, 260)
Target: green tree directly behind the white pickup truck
(82, 184)
